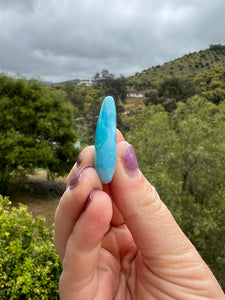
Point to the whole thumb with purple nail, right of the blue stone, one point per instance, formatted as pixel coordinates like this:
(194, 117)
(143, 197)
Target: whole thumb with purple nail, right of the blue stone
(164, 247)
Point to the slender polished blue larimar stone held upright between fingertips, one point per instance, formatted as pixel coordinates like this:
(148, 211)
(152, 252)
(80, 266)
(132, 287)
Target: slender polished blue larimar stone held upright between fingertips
(105, 141)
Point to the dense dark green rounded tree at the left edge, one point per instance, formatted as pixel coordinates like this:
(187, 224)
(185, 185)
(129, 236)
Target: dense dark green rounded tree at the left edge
(36, 130)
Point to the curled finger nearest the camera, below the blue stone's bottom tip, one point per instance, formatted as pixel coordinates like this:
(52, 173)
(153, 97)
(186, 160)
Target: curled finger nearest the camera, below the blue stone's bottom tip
(80, 263)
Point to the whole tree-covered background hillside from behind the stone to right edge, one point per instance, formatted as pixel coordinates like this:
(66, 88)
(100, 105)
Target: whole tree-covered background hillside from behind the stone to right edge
(200, 73)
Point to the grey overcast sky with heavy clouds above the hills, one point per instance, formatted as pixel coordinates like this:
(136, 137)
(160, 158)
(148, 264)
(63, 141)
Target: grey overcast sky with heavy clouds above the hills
(61, 40)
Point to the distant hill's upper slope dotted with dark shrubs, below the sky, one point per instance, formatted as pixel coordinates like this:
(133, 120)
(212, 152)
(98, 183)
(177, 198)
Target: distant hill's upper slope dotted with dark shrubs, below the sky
(186, 67)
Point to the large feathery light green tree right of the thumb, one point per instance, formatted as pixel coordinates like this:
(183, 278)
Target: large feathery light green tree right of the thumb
(183, 155)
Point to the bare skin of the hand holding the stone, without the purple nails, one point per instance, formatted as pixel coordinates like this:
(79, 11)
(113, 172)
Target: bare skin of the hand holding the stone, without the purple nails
(124, 244)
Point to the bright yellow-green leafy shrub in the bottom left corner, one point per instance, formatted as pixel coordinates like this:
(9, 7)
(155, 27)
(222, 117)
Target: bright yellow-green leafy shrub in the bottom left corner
(29, 265)
